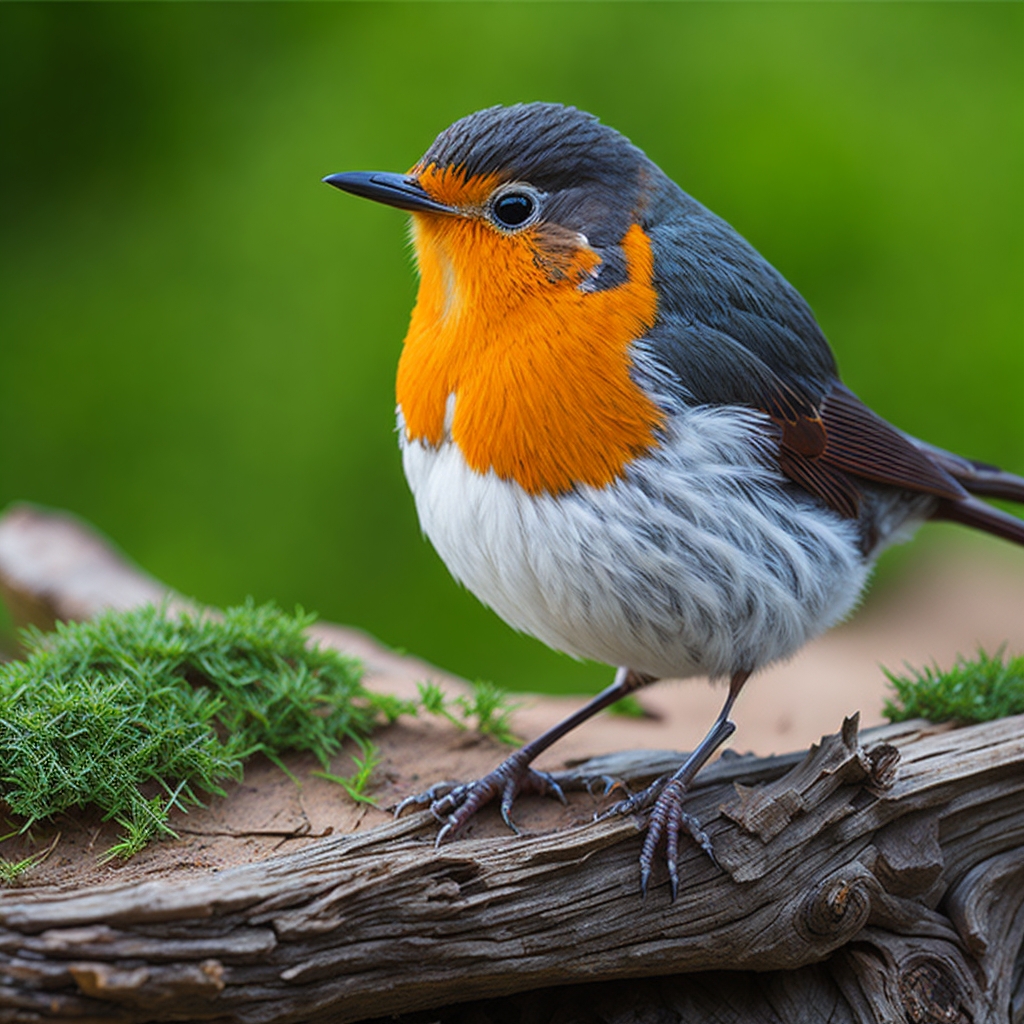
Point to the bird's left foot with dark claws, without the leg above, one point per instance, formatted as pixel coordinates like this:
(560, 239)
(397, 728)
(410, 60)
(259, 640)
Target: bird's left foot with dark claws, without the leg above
(455, 803)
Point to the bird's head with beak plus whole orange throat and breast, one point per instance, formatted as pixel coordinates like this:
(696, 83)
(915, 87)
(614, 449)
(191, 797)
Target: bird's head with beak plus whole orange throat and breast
(536, 277)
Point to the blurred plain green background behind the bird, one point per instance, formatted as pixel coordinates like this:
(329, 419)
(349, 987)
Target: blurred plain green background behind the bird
(198, 339)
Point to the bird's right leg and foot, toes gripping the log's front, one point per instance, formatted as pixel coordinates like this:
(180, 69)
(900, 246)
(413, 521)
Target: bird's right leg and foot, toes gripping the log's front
(668, 817)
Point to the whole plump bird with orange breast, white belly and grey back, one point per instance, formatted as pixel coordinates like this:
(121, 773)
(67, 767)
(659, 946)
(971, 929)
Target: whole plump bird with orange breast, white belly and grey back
(626, 434)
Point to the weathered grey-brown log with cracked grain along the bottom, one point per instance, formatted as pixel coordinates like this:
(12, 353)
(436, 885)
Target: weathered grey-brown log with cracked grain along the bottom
(878, 878)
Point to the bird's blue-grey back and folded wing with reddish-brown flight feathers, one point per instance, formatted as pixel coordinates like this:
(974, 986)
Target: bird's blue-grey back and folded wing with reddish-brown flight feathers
(732, 331)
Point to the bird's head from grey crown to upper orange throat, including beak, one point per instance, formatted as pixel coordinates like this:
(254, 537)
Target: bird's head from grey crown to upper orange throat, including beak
(526, 200)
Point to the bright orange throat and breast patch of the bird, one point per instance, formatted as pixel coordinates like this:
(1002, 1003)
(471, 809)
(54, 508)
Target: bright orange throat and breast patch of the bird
(539, 368)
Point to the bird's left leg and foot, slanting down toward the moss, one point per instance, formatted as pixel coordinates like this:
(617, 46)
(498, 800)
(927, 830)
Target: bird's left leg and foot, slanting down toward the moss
(455, 804)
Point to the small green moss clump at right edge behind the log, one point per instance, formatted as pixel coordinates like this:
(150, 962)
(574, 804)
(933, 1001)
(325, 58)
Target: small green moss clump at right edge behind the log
(977, 691)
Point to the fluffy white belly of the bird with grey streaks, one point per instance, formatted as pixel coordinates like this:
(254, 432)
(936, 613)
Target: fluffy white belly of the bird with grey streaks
(699, 562)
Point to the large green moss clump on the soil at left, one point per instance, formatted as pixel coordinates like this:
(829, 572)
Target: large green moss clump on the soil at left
(143, 711)
